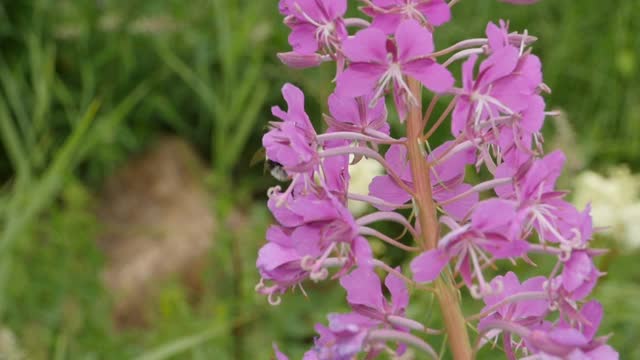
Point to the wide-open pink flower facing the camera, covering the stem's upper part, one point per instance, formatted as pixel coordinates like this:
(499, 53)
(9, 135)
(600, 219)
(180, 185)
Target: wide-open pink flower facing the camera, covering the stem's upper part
(378, 62)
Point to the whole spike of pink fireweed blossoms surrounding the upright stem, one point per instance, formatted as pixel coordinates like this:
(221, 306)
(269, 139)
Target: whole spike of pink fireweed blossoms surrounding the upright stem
(496, 111)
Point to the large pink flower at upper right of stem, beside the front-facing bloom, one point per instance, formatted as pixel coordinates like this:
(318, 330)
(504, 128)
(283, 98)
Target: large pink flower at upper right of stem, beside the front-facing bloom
(501, 105)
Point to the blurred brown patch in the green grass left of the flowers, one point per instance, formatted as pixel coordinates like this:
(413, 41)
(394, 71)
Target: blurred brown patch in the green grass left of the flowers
(158, 225)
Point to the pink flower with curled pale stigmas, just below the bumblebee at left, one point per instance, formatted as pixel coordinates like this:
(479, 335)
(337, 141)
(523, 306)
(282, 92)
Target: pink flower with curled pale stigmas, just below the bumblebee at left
(312, 226)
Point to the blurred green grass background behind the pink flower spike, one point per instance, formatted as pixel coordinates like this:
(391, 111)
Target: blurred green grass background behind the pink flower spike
(86, 86)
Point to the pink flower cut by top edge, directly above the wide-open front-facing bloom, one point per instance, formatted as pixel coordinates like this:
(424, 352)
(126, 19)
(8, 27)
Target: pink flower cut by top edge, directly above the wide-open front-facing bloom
(388, 14)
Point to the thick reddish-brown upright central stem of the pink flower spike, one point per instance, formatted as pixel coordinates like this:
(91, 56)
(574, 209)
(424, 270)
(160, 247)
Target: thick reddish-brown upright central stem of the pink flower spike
(427, 216)
